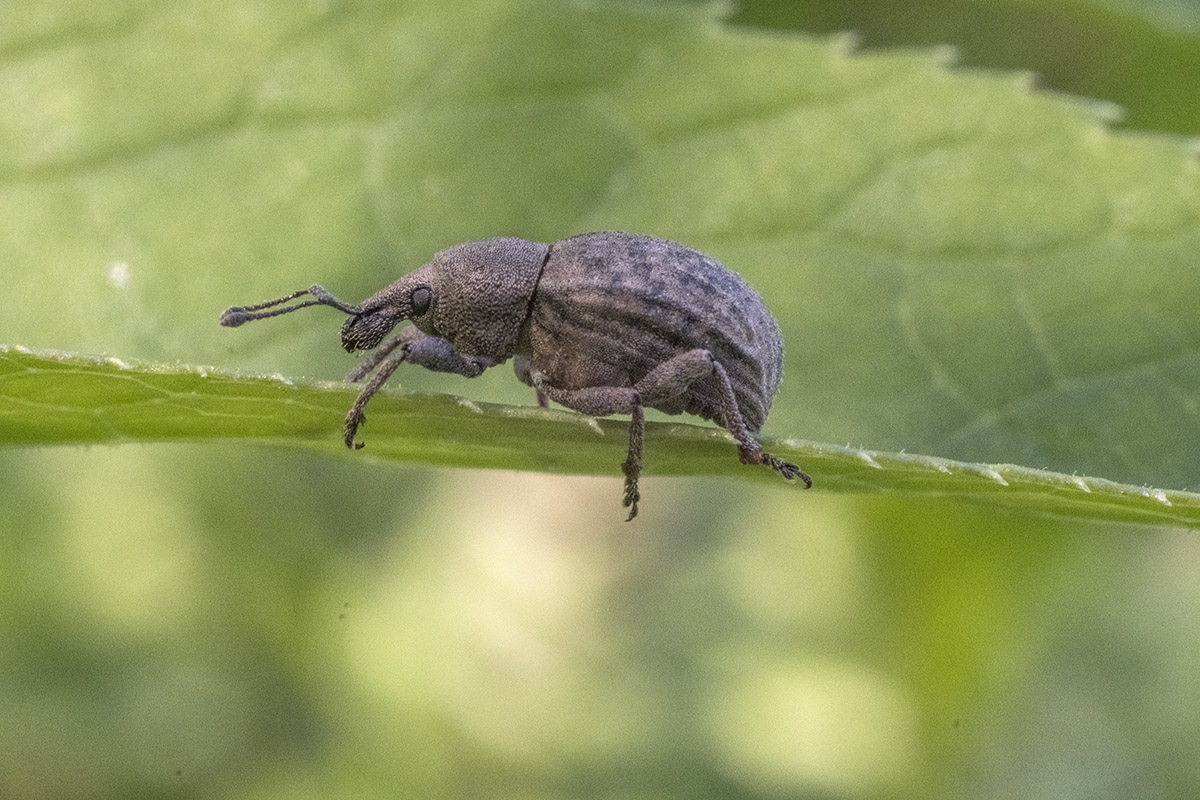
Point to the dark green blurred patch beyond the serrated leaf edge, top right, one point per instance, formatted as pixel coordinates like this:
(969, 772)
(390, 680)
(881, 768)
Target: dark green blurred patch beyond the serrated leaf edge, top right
(1142, 55)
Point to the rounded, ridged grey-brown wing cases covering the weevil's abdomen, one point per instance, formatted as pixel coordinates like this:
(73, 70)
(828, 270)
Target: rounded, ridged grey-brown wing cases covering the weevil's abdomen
(635, 303)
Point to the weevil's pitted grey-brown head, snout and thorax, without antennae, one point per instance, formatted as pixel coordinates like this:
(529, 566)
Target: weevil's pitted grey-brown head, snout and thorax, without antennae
(475, 296)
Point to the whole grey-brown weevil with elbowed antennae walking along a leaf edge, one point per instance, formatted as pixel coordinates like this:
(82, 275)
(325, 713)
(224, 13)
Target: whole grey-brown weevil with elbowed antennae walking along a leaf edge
(603, 323)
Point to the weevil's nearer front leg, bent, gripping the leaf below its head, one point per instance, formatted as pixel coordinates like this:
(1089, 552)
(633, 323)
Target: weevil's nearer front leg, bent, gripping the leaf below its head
(415, 347)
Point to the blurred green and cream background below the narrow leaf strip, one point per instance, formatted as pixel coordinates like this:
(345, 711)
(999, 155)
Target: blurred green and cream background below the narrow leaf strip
(230, 622)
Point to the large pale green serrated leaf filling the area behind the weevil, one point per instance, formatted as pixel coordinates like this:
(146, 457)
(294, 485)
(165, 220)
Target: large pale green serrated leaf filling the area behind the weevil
(962, 267)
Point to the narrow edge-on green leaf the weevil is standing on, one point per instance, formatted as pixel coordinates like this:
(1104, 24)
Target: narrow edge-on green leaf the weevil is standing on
(56, 399)
